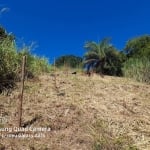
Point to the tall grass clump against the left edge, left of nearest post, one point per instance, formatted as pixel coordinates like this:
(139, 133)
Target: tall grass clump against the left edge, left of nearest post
(8, 63)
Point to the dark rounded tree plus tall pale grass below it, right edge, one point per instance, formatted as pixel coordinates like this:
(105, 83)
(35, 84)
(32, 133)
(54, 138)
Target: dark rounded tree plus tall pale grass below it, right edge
(137, 65)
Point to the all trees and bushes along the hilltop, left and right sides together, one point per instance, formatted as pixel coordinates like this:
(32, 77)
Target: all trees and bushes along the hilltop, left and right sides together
(133, 61)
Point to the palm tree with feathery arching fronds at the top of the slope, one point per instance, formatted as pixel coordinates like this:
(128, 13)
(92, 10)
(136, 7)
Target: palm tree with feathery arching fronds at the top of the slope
(95, 56)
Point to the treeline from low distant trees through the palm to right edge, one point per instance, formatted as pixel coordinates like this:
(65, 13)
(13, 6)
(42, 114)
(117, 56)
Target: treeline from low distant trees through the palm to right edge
(133, 61)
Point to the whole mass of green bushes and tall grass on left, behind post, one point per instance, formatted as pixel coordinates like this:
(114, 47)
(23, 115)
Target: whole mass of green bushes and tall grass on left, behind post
(11, 61)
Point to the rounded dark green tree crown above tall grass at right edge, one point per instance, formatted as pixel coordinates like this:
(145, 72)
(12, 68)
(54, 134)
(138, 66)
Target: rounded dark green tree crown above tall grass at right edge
(138, 47)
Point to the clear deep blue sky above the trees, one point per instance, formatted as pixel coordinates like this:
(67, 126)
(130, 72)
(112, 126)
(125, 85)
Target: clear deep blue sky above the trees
(62, 27)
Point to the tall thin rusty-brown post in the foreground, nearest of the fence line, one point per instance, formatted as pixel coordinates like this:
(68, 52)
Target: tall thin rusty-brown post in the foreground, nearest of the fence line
(21, 93)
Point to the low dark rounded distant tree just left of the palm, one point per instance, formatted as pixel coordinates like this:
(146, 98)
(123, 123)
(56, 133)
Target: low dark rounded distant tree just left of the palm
(69, 60)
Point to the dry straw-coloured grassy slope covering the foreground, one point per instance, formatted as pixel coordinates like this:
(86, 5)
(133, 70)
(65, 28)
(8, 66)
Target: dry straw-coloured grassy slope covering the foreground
(84, 113)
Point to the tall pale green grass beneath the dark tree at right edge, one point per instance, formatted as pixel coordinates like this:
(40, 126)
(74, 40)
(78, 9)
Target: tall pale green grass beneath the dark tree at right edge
(138, 69)
